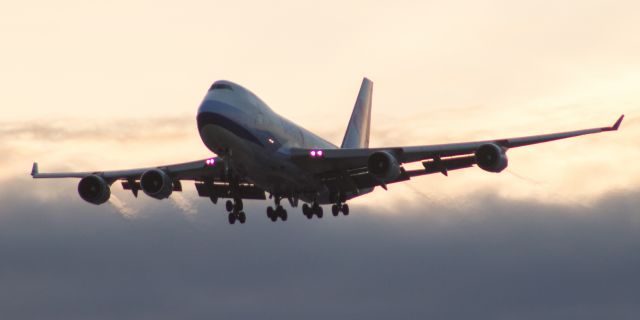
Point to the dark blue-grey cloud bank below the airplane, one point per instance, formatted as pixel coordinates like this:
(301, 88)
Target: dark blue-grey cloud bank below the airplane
(499, 259)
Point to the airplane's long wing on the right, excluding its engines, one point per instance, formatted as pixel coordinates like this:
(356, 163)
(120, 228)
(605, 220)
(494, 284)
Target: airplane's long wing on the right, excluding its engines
(439, 158)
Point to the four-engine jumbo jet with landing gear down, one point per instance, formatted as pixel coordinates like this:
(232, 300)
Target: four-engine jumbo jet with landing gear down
(259, 152)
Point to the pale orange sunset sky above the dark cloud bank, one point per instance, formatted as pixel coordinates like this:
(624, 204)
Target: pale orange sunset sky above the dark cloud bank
(90, 85)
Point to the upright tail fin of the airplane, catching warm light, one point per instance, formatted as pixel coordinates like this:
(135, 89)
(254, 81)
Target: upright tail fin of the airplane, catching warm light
(357, 135)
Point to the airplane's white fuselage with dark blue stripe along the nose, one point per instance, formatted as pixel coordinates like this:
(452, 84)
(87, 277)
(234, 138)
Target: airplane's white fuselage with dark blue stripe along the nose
(238, 126)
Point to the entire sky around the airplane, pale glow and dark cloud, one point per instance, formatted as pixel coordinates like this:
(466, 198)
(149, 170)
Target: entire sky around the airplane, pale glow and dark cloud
(91, 85)
